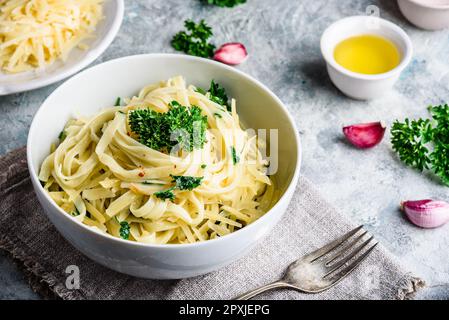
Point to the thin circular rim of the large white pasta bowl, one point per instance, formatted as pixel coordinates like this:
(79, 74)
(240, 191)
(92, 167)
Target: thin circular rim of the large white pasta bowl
(247, 228)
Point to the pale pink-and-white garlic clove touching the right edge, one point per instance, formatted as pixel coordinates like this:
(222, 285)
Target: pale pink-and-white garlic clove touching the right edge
(427, 213)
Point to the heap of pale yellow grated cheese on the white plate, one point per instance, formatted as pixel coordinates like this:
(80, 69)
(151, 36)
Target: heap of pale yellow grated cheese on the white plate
(35, 33)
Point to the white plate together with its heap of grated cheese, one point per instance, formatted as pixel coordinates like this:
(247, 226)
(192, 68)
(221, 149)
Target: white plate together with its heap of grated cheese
(45, 41)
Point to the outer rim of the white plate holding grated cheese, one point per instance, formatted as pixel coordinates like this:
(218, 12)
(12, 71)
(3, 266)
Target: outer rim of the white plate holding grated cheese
(90, 57)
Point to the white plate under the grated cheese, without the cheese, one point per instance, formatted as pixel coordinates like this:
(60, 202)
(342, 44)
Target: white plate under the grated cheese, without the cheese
(78, 59)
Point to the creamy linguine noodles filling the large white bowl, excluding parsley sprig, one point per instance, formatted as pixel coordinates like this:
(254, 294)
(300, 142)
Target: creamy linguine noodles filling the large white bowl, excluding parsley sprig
(104, 177)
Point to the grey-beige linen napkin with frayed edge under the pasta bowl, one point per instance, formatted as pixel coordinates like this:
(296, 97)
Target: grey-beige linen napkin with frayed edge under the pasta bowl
(309, 223)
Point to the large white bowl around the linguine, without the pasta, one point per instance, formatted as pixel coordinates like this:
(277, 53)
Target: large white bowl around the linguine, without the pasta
(98, 87)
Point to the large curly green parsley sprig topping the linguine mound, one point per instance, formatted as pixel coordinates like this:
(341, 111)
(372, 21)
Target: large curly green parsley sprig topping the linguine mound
(181, 126)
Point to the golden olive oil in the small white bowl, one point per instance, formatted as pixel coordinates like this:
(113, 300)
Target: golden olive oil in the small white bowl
(367, 54)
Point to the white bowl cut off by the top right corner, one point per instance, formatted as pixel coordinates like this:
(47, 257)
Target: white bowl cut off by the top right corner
(428, 15)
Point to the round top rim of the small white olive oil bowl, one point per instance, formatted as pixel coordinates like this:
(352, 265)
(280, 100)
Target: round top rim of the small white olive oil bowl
(398, 69)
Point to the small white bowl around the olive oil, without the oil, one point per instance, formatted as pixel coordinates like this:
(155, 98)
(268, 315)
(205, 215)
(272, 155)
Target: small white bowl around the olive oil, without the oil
(357, 85)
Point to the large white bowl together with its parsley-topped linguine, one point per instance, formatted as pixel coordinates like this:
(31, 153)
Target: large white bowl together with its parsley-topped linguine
(173, 173)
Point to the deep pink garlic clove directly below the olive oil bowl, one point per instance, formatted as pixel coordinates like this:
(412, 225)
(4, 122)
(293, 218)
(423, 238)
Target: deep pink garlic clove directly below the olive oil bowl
(365, 135)
